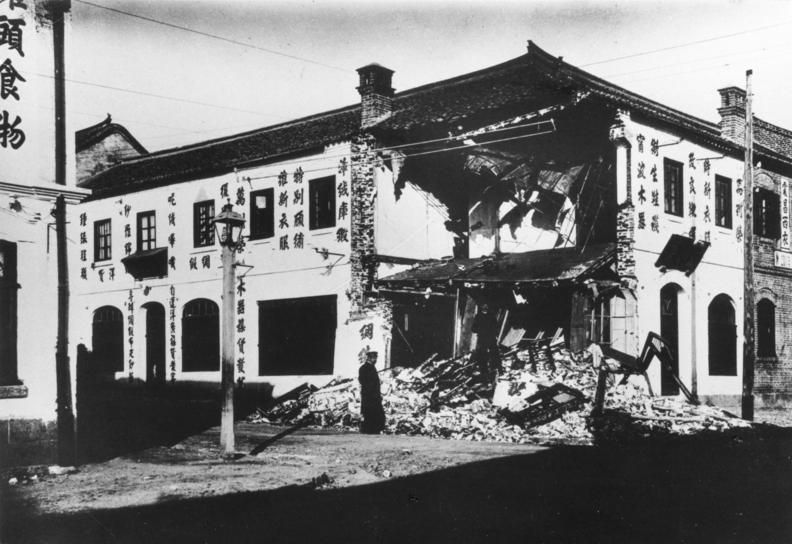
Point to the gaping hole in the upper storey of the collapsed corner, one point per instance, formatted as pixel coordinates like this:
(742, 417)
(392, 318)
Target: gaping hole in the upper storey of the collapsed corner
(534, 190)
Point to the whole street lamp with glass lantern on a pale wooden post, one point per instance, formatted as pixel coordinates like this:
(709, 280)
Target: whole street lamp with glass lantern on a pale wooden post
(228, 226)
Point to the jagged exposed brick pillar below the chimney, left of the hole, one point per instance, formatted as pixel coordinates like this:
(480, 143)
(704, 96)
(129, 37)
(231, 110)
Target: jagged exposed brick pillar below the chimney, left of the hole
(363, 204)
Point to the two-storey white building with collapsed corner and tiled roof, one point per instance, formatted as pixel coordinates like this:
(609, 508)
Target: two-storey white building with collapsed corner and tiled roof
(562, 200)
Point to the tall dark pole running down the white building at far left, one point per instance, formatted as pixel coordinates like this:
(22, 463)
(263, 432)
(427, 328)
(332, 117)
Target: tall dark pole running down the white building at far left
(65, 411)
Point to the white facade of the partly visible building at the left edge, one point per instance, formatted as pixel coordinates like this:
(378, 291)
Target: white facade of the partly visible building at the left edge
(27, 198)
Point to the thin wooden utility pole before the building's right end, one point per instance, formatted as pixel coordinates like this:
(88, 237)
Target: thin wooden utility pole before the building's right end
(748, 290)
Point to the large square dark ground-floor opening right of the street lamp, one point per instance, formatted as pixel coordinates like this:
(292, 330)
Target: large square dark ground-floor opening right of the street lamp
(297, 336)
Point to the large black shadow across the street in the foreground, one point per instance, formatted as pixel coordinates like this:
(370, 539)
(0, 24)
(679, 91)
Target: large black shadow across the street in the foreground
(727, 490)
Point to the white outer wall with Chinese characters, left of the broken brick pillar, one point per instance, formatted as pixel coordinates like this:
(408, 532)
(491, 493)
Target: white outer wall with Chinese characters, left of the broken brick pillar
(270, 273)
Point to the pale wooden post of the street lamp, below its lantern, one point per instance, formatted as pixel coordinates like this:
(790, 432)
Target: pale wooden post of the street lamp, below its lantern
(227, 351)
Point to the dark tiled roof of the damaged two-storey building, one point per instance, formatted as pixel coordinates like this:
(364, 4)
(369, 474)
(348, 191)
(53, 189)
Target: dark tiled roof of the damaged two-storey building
(477, 97)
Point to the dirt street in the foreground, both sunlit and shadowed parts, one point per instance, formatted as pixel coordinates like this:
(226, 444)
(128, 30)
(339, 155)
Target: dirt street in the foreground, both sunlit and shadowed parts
(328, 486)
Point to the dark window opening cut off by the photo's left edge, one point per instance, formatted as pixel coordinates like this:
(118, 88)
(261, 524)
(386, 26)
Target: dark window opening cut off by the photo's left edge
(8, 313)
